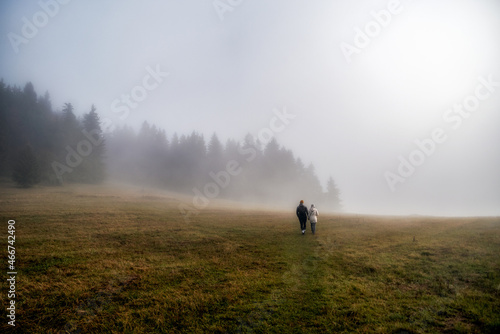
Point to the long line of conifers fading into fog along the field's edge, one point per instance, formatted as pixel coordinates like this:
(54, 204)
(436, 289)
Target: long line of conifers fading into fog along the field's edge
(38, 144)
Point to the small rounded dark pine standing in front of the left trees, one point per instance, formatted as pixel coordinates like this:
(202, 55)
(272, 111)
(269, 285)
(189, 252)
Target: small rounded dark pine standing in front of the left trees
(26, 170)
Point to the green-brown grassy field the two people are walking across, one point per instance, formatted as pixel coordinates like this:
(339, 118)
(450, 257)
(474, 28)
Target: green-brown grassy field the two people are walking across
(103, 260)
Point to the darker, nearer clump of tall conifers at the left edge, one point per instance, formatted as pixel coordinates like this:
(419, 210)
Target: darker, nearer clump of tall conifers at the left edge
(56, 138)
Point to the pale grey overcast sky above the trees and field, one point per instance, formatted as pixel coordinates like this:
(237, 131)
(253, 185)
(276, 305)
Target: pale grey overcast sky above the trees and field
(364, 80)
